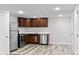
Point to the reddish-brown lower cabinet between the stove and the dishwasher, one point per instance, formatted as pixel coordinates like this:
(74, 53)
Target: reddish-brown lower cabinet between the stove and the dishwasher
(32, 39)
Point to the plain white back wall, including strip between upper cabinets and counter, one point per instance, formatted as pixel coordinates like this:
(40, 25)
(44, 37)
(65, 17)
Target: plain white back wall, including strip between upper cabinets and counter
(59, 28)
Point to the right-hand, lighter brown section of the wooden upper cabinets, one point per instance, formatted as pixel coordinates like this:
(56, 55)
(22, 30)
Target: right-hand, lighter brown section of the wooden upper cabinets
(39, 22)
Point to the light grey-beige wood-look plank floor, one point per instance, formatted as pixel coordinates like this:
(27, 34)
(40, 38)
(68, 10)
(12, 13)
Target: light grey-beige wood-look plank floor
(35, 49)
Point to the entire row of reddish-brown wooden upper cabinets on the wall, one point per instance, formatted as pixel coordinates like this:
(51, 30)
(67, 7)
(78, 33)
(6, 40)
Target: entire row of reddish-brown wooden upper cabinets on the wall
(32, 22)
